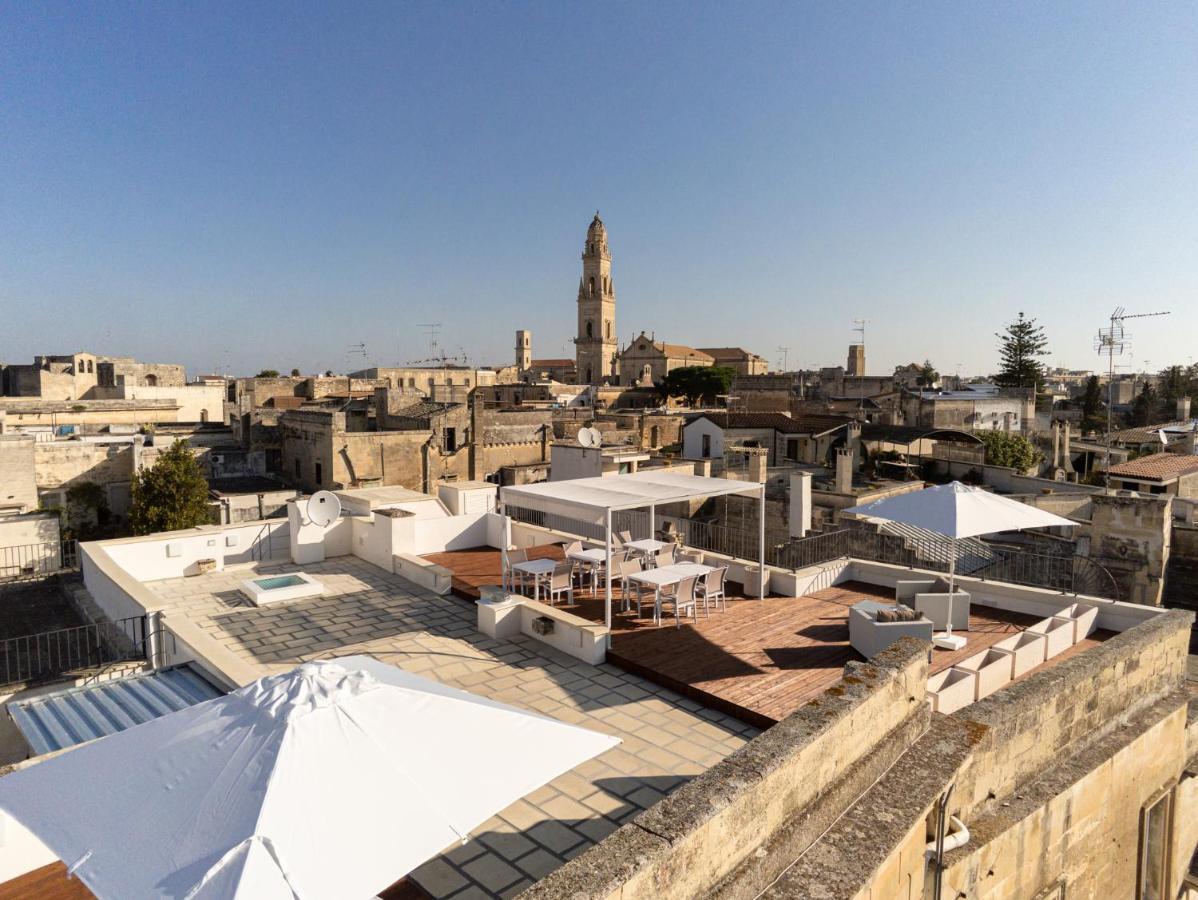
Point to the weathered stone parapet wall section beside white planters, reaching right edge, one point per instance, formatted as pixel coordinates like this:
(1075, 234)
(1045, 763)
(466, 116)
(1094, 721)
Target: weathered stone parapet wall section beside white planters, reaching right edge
(1034, 723)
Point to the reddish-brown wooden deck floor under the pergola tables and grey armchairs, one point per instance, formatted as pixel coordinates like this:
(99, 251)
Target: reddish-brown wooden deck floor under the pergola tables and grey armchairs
(761, 660)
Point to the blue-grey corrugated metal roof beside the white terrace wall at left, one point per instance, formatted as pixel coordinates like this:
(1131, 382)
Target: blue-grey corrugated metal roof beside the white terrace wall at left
(83, 714)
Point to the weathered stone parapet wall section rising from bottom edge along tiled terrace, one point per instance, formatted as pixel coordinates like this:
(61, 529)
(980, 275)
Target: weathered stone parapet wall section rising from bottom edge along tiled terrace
(701, 832)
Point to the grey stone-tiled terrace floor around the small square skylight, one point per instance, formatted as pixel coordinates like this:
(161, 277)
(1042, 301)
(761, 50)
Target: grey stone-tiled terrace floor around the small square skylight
(668, 739)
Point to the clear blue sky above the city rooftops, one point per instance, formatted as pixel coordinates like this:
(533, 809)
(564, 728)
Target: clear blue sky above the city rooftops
(262, 186)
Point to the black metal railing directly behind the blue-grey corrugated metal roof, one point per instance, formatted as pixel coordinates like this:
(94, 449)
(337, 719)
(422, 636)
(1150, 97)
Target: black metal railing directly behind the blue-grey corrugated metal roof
(50, 655)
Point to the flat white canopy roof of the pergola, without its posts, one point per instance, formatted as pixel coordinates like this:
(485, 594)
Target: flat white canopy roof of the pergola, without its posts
(592, 498)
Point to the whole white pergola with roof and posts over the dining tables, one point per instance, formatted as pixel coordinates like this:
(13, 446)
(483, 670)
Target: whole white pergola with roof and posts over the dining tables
(595, 500)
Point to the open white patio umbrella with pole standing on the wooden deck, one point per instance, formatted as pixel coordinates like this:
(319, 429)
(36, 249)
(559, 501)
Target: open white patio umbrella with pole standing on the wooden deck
(959, 511)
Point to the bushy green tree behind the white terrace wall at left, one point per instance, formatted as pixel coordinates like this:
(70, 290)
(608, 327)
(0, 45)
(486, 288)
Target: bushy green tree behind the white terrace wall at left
(170, 496)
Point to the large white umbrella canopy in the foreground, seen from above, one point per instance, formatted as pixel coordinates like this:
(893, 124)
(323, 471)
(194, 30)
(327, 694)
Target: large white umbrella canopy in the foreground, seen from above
(332, 781)
